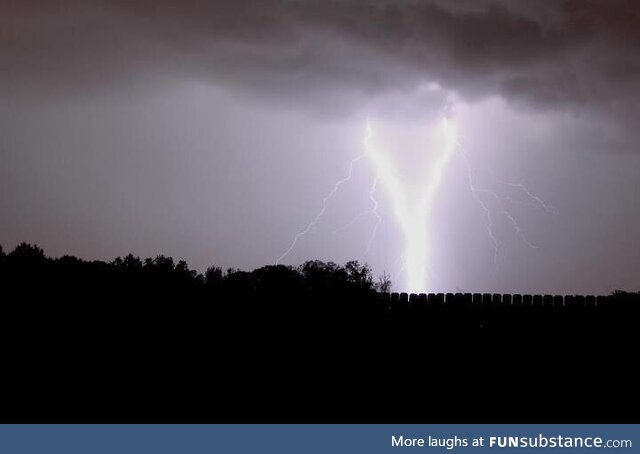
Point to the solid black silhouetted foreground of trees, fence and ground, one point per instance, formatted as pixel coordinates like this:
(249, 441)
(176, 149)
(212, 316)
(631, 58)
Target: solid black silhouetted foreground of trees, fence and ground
(152, 340)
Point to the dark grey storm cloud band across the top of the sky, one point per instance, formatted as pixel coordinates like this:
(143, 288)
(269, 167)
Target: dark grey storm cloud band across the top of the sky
(580, 54)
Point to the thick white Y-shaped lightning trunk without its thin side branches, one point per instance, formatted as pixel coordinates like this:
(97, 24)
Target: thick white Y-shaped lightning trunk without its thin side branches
(412, 217)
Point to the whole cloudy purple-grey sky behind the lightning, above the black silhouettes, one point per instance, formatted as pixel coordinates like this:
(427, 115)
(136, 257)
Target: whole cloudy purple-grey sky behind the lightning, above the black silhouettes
(215, 131)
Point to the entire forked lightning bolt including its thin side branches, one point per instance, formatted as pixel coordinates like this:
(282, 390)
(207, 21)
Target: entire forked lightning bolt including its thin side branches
(411, 210)
